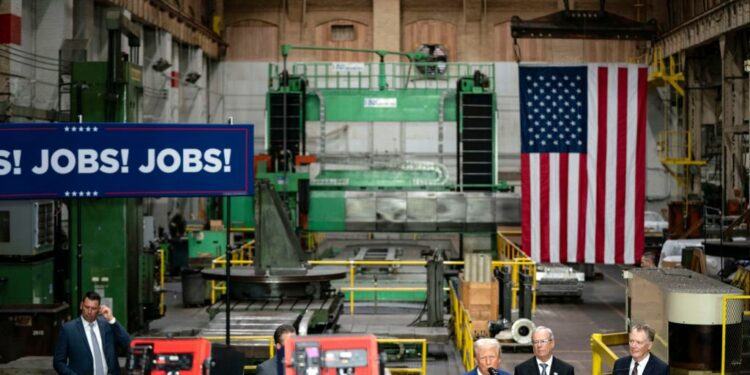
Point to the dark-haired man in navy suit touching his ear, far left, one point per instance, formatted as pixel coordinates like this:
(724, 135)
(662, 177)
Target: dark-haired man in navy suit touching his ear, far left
(86, 345)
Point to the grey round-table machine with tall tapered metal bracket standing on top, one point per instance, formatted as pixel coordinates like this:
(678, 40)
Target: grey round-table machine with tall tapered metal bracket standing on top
(278, 288)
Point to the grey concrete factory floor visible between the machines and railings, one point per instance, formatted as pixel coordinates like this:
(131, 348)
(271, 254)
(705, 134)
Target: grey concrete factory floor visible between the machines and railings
(601, 310)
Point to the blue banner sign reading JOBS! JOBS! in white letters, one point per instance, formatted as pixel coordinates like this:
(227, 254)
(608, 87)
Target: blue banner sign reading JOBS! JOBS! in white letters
(71, 160)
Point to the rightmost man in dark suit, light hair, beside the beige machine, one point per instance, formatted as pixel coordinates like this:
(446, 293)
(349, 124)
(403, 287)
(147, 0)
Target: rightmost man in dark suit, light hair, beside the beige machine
(641, 361)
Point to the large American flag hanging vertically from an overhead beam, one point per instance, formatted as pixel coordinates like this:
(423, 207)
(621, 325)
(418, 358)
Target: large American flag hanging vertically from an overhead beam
(583, 135)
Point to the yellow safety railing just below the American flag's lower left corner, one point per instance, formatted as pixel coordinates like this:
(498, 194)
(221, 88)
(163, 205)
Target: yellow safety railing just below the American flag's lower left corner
(519, 263)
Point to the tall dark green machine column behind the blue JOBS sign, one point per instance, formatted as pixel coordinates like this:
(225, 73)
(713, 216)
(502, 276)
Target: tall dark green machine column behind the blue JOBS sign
(106, 235)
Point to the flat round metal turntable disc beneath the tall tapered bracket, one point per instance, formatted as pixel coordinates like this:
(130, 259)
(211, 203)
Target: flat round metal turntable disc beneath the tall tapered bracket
(247, 275)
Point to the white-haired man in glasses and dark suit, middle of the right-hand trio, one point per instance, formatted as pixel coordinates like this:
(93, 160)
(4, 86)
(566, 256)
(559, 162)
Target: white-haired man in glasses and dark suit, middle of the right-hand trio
(543, 362)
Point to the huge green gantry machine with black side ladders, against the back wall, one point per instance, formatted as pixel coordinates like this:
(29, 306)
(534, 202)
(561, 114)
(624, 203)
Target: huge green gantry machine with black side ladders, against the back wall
(399, 195)
